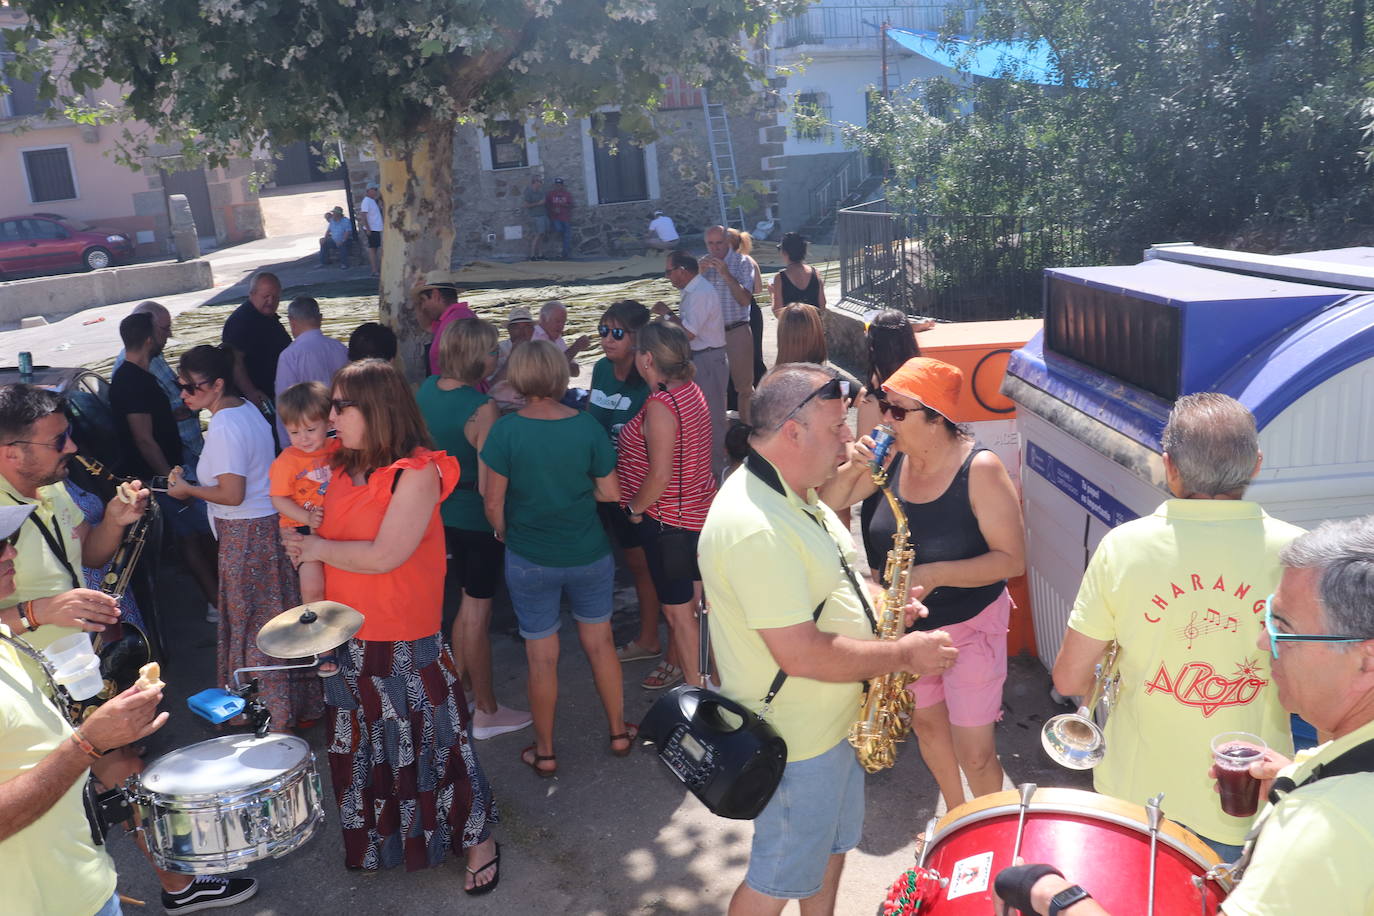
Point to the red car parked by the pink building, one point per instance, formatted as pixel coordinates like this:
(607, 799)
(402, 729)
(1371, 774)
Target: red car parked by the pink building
(49, 244)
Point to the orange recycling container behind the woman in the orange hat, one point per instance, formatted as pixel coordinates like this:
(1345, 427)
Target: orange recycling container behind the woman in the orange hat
(982, 351)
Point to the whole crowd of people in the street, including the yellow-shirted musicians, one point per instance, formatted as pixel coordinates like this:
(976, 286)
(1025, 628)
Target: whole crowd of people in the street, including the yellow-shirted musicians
(322, 476)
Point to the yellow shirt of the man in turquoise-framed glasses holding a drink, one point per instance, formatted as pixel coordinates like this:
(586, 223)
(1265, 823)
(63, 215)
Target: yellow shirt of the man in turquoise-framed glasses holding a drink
(1316, 848)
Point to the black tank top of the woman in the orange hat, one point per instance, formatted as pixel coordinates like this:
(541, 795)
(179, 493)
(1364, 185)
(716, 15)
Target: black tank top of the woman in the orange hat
(945, 529)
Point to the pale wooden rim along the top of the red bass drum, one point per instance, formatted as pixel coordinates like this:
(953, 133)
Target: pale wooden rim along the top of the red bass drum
(1075, 801)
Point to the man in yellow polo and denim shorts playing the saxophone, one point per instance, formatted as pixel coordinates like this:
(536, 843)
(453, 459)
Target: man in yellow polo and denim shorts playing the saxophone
(778, 569)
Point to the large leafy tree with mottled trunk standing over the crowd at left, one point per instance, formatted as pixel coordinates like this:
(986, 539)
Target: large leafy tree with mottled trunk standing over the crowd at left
(223, 76)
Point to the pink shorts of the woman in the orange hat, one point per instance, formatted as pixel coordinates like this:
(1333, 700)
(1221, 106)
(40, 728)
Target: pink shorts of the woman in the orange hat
(973, 687)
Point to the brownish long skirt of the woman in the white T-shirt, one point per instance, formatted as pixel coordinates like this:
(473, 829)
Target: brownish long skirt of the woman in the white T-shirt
(256, 584)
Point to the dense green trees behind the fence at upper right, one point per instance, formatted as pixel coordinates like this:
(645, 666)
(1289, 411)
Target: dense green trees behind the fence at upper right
(1196, 120)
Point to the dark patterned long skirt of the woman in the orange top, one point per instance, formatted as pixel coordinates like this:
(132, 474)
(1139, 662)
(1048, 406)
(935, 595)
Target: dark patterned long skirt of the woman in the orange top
(406, 778)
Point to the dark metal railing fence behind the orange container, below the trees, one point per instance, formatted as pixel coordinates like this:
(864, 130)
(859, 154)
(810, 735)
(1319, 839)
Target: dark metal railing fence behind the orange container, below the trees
(960, 268)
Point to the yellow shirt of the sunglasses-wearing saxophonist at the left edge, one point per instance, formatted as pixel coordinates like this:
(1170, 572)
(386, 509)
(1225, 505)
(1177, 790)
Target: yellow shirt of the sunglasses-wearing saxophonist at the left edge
(39, 572)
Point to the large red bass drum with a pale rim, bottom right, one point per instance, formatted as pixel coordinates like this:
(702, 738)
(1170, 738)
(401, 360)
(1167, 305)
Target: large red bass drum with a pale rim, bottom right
(1097, 841)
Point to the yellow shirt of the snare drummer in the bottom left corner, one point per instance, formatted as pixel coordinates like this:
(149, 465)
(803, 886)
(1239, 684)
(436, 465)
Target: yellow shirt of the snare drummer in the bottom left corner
(52, 867)
